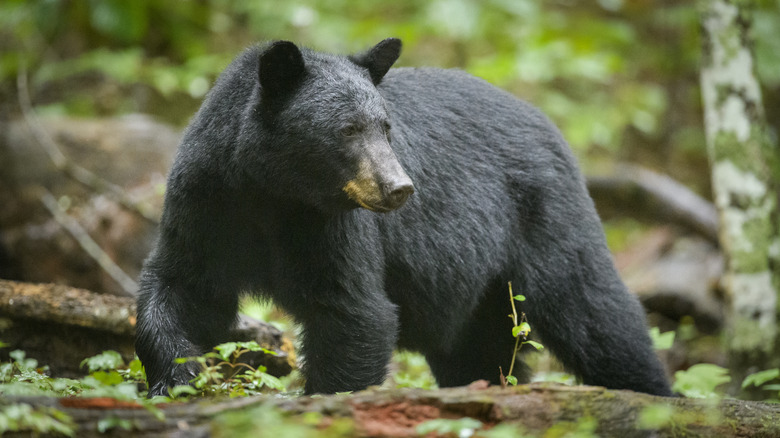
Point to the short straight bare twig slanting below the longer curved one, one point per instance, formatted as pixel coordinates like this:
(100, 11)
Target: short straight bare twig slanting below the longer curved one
(88, 244)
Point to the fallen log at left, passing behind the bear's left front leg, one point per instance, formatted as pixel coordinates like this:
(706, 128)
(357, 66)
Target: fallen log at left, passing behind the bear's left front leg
(60, 326)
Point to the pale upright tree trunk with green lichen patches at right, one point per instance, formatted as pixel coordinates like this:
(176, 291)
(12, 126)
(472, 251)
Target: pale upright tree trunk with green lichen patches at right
(744, 173)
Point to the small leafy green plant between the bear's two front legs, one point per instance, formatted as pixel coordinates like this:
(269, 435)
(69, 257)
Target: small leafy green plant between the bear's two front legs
(223, 374)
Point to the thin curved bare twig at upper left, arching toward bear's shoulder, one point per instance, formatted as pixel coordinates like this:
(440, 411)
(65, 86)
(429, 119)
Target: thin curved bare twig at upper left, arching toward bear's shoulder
(62, 163)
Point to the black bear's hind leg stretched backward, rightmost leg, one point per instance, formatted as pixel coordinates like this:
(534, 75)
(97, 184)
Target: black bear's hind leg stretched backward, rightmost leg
(595, 327)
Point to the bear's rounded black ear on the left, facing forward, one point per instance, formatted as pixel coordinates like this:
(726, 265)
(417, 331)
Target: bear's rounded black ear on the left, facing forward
(281, 69)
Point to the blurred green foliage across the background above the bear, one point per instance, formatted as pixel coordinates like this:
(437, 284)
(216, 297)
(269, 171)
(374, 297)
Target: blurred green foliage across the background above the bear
(577, 60)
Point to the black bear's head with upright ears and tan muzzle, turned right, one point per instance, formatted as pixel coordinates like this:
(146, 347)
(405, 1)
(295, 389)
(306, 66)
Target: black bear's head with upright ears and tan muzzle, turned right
(325, 127)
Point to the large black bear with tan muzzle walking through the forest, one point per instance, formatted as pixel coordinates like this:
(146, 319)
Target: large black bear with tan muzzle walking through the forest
(383, 209)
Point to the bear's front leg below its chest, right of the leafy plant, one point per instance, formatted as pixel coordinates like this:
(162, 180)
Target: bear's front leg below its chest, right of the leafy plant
(347, 347)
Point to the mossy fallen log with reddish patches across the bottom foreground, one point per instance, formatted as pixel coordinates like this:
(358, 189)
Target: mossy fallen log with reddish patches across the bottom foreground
(525, 409)
